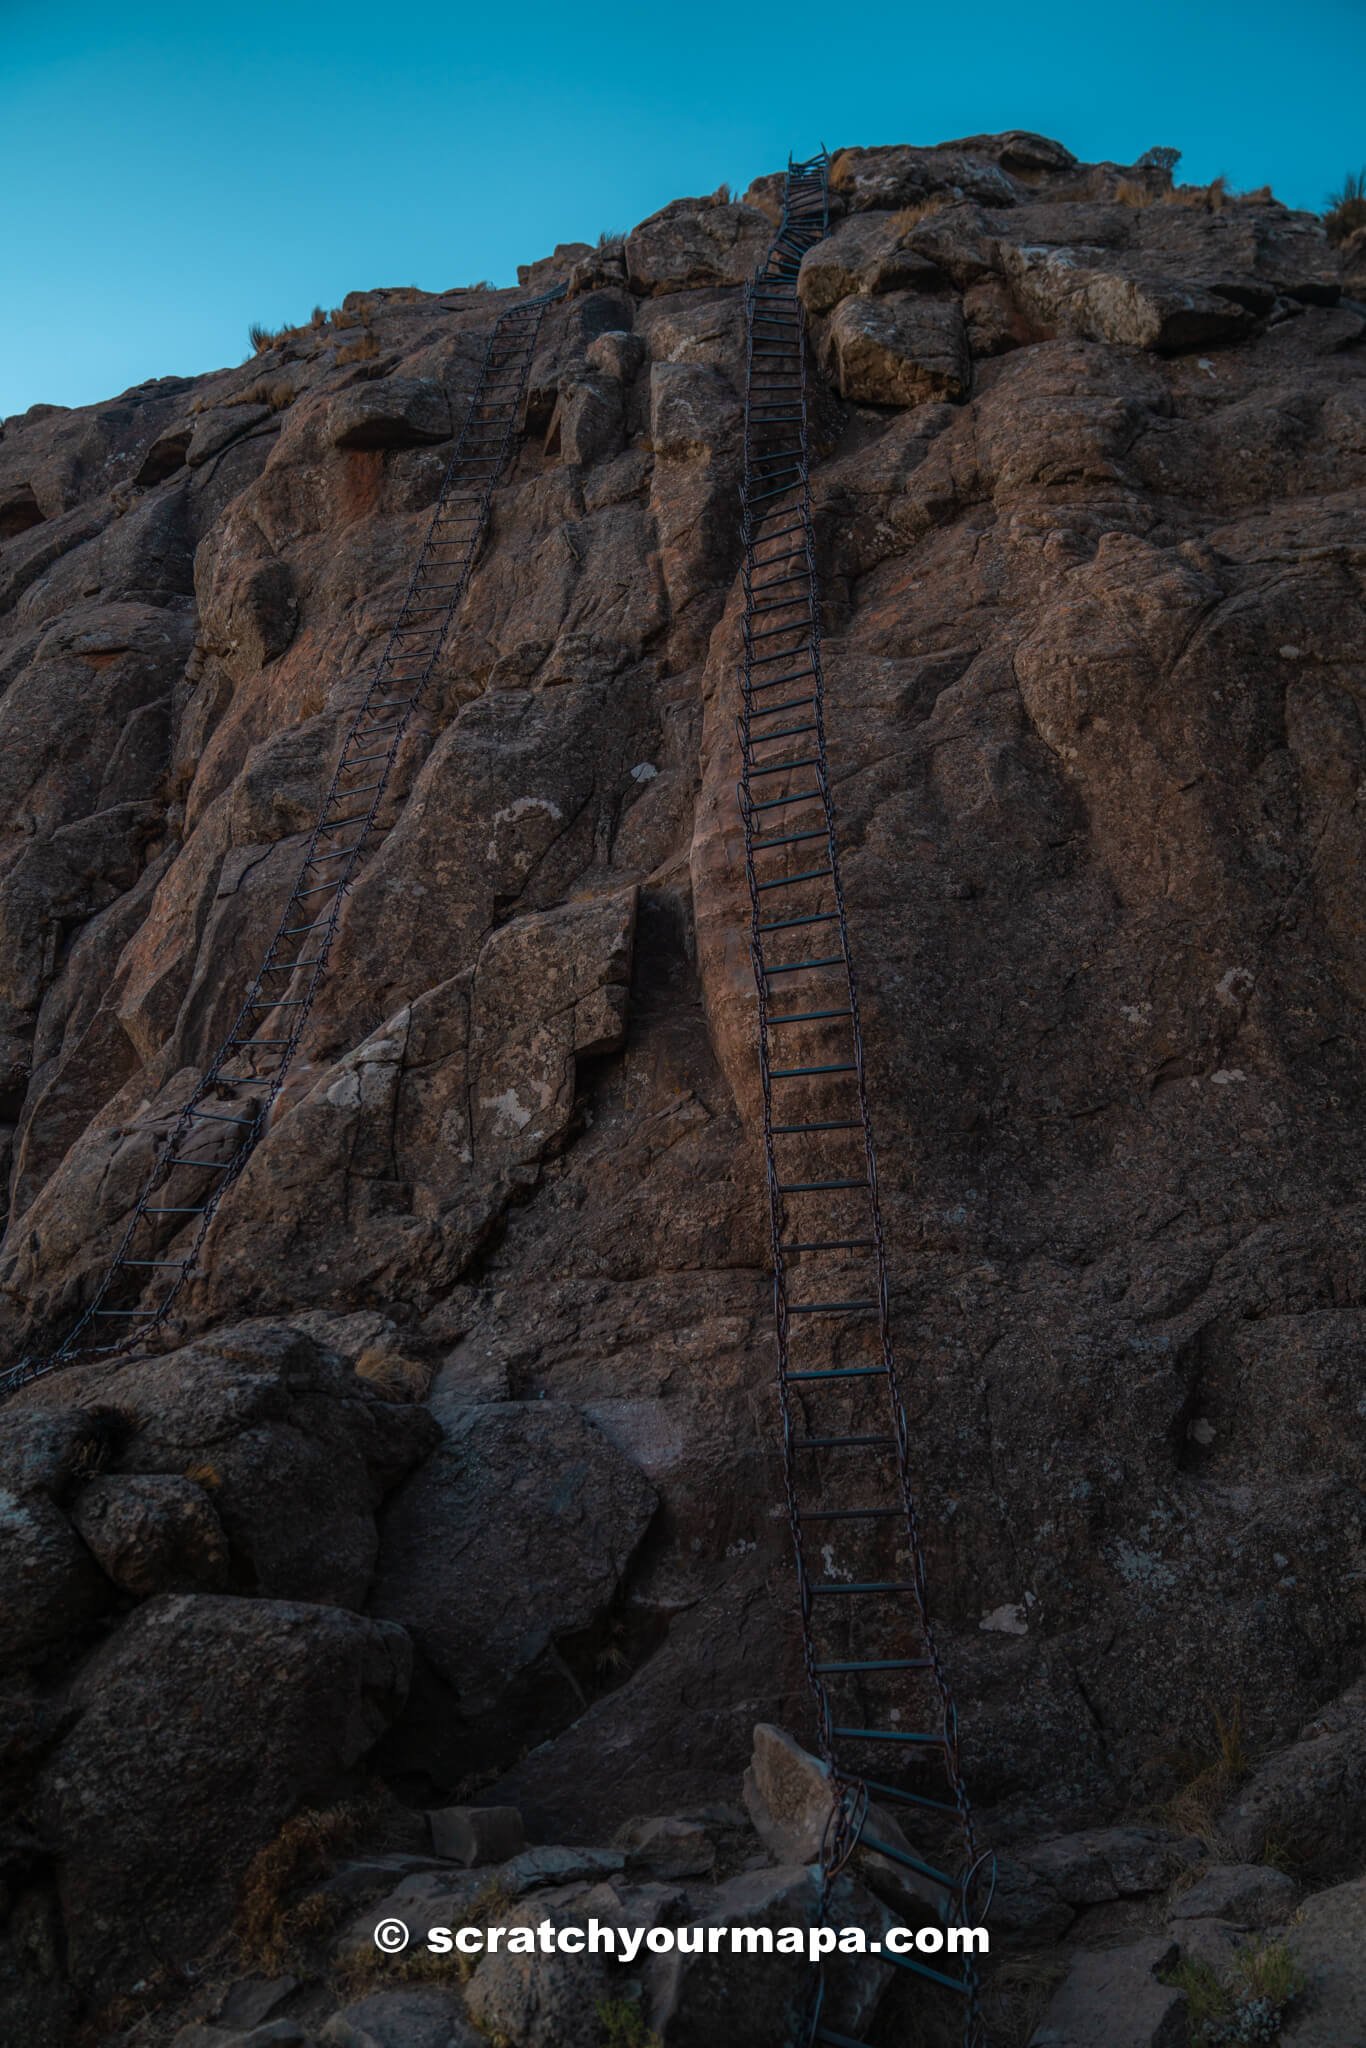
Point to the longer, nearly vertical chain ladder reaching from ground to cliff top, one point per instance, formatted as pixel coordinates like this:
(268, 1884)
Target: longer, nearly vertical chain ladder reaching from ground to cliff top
(835, 1351)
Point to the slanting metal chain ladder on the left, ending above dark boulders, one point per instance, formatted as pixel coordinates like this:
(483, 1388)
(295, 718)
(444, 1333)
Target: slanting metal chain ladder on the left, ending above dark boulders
(228, 1111)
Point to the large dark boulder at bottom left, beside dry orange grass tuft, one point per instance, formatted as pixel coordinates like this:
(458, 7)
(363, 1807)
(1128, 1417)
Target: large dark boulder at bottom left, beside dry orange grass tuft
(204, 1719)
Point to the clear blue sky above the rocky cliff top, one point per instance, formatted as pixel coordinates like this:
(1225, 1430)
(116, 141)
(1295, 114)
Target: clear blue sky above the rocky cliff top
(173, 173)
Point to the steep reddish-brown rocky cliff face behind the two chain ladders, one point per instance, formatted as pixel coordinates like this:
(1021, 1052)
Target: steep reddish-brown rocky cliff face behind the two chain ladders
(1091, 484)
